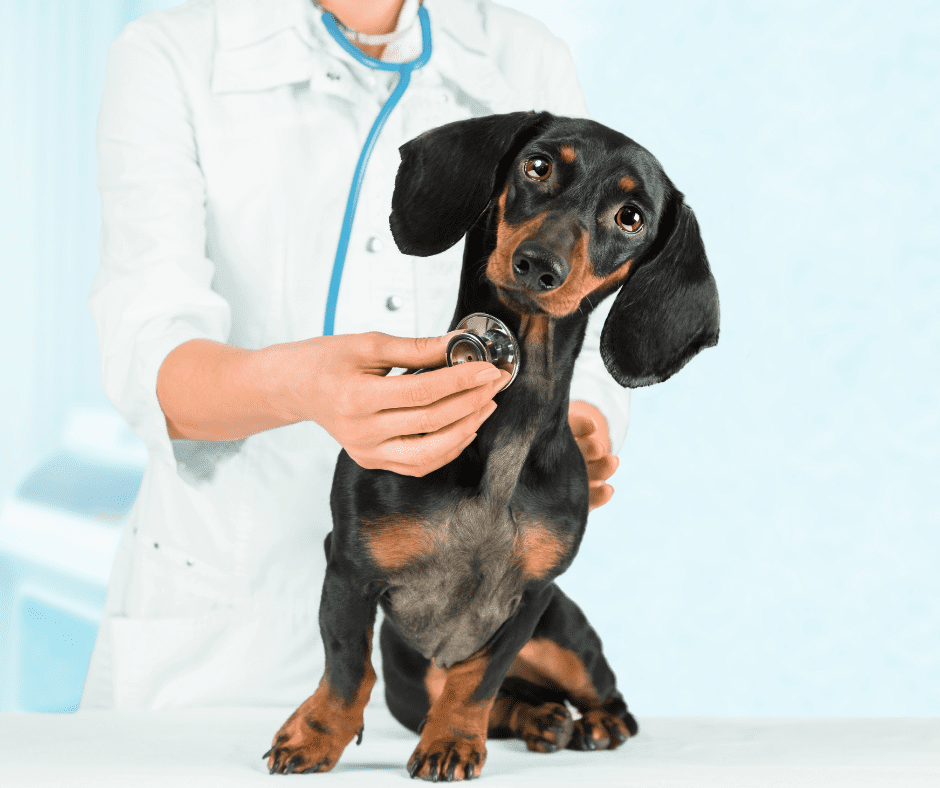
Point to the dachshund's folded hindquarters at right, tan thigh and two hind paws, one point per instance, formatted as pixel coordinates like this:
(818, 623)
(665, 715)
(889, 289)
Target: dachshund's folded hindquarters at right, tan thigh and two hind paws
(564, 660)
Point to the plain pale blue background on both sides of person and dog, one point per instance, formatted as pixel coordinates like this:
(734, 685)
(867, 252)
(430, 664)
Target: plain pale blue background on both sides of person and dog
(773, 547)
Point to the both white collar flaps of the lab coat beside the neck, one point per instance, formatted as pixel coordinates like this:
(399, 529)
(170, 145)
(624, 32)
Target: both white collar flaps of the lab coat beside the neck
(262, 45)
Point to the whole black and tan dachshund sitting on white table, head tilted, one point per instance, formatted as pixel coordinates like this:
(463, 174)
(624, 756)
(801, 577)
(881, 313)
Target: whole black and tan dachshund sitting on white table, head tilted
(477, 639)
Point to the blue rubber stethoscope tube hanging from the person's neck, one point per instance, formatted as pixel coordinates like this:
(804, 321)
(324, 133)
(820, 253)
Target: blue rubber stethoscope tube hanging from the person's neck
(404, 71)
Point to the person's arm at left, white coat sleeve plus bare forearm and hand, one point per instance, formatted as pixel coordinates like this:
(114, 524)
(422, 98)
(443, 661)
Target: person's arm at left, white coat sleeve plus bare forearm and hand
(165, 329)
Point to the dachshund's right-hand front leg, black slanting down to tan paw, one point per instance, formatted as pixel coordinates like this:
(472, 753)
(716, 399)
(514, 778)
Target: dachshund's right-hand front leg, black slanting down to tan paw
(453, 736)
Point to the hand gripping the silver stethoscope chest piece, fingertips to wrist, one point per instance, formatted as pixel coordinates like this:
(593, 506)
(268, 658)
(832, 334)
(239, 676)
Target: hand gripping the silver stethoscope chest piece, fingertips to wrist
(410, 424)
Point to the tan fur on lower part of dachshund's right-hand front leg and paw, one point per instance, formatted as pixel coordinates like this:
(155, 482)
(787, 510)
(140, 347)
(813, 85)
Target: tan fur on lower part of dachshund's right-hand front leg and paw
(454, 715)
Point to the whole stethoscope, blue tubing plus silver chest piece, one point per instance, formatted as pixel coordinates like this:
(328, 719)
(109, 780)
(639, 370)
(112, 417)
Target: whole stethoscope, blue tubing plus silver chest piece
(482, 337)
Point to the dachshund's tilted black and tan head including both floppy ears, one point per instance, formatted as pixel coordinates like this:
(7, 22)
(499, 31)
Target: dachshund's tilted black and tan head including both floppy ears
(580, 211)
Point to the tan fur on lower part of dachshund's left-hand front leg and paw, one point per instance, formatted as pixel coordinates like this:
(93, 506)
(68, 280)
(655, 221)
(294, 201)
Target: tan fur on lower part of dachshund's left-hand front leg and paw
(324, 724)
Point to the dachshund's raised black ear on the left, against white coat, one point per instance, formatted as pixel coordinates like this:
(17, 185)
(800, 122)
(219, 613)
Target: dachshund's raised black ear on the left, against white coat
(447, 177)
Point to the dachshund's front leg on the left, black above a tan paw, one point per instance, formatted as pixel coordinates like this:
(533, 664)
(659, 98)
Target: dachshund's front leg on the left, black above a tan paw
(316, 734)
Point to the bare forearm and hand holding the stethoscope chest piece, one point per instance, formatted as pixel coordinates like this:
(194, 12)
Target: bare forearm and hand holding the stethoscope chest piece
(410, 424)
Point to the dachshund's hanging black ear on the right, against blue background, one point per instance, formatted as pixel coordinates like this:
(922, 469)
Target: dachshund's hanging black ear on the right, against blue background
(667, 310)
